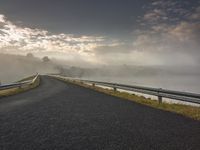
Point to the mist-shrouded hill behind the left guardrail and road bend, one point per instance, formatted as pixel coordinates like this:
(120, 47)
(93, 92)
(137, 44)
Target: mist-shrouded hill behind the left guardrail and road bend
(15, 67)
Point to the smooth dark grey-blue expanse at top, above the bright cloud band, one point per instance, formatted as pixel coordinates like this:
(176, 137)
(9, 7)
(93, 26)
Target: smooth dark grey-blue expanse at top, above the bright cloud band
(113, 17)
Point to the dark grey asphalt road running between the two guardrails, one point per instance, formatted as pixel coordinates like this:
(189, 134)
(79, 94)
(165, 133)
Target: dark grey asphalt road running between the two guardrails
(57, 115)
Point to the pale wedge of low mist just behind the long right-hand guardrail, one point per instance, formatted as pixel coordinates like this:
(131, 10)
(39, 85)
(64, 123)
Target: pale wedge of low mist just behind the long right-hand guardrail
(189, 83)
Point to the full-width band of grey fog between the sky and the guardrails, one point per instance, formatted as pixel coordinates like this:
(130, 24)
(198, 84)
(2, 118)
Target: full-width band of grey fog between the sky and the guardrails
(182, 78)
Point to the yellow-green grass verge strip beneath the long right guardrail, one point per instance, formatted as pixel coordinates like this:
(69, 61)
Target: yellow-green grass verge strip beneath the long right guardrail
(185, 110)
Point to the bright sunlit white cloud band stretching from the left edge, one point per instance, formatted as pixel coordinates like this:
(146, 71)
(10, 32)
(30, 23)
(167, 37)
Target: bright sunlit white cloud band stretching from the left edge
(19, 40)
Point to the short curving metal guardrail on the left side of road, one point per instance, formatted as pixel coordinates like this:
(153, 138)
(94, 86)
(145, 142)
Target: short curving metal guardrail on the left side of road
(19, 84)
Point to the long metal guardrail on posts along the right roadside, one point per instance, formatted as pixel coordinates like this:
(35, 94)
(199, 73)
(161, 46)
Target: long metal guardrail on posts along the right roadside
(160, 93)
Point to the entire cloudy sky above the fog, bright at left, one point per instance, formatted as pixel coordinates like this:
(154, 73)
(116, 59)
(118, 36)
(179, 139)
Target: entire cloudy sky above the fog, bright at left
(133, 32)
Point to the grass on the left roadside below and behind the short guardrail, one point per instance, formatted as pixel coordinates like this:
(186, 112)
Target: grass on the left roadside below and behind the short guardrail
(13, 91)
